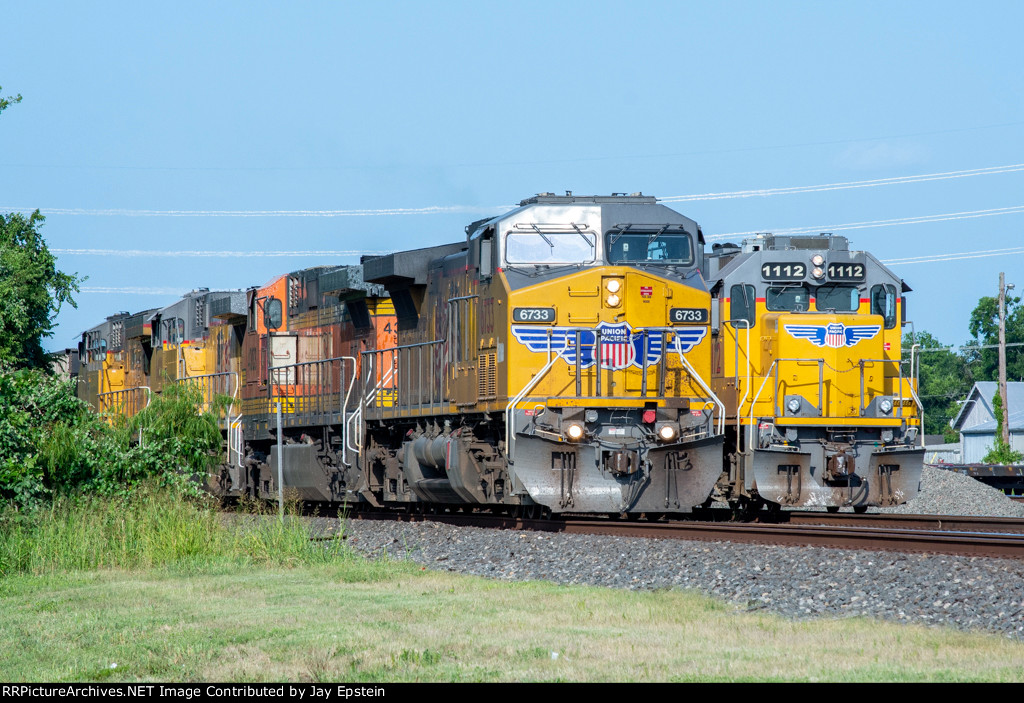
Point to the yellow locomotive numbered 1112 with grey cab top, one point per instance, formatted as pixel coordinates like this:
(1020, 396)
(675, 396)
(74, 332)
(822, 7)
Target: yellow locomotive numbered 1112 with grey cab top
(807, 359)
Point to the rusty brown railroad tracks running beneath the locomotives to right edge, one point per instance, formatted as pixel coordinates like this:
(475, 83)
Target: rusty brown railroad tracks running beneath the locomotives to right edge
(1003, 538)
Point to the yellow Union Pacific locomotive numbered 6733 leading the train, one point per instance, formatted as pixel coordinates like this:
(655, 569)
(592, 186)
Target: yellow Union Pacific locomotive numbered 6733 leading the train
(558, 361)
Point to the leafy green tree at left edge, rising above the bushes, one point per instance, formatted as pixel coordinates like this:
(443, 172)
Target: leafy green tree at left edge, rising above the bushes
(32, 291)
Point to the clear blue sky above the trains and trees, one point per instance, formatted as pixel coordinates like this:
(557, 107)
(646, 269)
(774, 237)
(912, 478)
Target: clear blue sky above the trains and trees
(287, 127)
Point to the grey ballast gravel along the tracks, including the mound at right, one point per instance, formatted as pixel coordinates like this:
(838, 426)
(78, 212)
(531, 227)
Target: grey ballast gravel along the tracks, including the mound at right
(959, 592)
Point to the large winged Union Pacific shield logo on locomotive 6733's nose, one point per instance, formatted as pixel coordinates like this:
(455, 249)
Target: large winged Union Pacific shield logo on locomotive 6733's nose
(621, 346)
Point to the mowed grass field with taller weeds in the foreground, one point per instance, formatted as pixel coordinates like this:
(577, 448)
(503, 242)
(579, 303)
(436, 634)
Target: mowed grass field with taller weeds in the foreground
(277, 607)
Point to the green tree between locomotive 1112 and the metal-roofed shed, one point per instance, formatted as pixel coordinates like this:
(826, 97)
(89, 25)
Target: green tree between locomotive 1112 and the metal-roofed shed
(946, 379)
